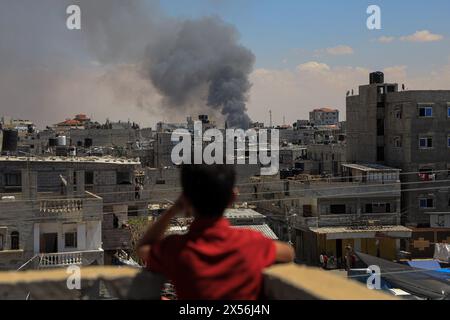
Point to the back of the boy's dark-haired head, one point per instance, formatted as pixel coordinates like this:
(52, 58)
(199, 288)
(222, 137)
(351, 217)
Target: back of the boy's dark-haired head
(209, 188)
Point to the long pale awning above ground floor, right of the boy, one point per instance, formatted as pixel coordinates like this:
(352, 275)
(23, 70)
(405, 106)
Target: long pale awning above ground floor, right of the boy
(334, 233)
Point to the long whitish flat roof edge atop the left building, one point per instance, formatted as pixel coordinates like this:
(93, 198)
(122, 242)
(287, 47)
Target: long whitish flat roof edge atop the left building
(55, 159)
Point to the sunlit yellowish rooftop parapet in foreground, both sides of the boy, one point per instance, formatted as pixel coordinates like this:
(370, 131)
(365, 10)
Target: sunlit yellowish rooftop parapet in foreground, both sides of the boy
(290, 282)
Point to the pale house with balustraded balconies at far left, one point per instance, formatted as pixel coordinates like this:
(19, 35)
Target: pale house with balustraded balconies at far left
(43, 228)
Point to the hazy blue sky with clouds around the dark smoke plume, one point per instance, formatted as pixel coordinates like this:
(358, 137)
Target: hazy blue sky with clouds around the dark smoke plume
(308, 54)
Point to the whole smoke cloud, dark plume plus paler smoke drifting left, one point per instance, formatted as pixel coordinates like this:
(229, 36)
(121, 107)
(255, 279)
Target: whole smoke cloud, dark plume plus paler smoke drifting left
(129, 55)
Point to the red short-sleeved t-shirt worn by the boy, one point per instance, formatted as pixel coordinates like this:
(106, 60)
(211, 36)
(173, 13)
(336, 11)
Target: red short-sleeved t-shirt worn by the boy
(214, 261)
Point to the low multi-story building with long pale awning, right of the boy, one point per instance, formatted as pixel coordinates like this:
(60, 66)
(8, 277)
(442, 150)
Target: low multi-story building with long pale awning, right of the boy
(361, 209)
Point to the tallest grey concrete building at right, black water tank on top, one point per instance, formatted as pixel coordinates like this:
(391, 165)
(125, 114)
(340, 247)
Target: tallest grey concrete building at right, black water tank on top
(409, 130)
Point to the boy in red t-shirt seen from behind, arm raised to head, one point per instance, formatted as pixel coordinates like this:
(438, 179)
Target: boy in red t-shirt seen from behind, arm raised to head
(213, 260)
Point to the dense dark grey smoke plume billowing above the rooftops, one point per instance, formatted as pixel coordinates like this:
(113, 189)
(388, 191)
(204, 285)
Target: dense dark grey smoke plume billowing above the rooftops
(203, 54)
